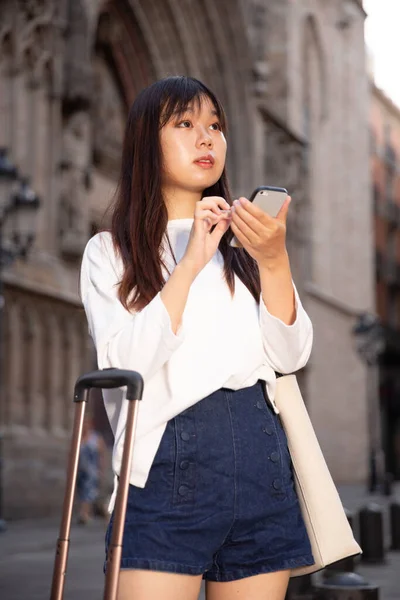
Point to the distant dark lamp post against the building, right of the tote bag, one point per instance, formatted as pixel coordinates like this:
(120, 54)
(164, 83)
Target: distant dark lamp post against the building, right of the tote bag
(370, 344)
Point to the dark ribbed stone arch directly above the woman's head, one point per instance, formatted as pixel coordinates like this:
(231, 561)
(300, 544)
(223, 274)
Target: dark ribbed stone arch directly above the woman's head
(141, 41)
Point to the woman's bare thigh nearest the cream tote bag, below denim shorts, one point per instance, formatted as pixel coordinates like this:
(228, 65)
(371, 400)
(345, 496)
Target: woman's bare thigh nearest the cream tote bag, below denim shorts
(268, 586)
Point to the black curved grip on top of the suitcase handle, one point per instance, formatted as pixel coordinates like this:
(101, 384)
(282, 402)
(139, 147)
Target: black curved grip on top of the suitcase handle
(109, 379)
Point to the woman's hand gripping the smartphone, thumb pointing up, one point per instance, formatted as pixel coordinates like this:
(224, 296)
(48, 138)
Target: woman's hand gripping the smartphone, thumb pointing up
(263, 236)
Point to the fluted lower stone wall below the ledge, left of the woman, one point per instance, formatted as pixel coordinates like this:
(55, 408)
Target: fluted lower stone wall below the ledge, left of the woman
(45, 349)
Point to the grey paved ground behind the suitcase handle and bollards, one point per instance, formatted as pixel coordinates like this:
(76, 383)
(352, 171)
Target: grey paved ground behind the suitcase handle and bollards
(27, 555)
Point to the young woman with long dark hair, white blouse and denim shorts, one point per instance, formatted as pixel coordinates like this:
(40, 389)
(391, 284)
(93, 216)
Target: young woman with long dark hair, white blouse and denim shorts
(207, 326)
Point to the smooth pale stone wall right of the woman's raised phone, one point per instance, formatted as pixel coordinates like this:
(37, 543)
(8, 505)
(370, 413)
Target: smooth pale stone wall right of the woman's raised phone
(328, 105)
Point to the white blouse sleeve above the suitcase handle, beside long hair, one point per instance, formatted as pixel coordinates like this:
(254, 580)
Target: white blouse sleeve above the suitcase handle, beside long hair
(142, 341)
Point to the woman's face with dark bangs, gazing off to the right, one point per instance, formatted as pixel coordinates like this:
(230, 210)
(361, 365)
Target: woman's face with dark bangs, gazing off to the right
(193, 148)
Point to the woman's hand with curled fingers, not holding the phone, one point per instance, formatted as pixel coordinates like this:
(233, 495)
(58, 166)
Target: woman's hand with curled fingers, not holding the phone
(203, 243)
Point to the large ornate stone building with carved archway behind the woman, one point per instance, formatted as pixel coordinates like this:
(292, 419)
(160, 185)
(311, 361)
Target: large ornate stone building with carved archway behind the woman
(293, 80)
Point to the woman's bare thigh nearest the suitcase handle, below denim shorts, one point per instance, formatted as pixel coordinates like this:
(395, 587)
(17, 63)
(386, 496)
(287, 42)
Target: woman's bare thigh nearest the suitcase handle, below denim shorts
(135, 584)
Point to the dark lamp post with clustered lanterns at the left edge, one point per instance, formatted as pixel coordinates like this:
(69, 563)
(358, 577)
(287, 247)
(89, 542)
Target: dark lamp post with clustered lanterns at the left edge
(18, 207)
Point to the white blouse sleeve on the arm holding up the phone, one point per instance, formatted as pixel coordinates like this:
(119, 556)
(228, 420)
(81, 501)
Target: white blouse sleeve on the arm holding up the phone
(287, 347)
